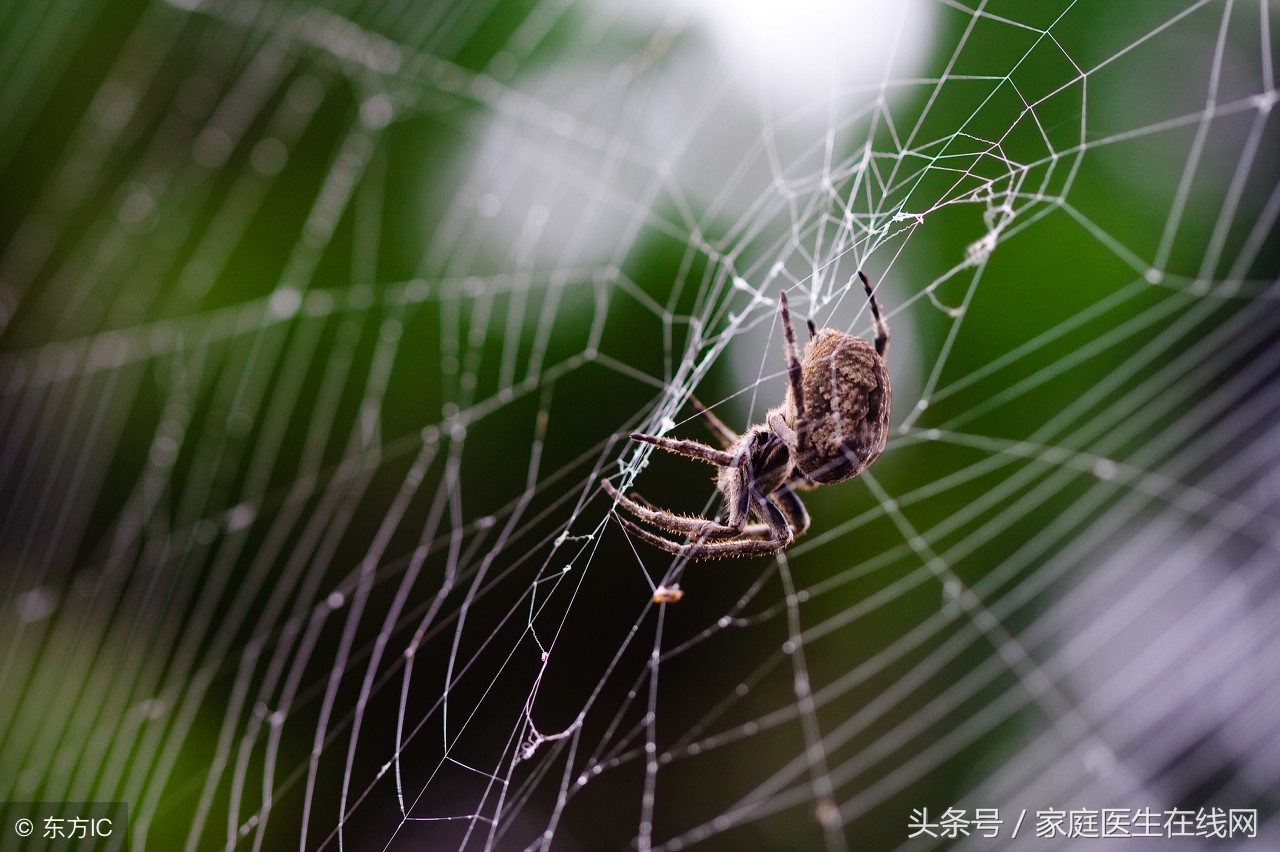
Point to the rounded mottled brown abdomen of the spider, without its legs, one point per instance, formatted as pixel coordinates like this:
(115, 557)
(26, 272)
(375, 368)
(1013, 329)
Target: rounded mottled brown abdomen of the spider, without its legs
(847, 407)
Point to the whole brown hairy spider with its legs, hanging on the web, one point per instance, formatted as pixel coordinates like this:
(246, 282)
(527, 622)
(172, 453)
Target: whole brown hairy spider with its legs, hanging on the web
(831, 427)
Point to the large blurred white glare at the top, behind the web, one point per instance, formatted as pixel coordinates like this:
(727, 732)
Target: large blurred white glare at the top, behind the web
(692, 109)
